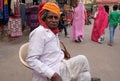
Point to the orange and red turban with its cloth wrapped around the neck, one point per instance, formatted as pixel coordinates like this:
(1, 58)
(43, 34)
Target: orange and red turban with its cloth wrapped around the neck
(52, 7)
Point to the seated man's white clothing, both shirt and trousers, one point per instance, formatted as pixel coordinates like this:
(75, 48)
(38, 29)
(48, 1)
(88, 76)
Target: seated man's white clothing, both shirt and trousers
(45, 58)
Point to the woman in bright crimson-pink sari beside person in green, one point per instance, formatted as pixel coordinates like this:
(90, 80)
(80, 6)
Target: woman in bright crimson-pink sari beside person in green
(100, 23)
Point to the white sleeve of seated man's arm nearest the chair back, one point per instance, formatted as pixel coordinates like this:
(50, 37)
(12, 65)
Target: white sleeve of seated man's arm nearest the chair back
(35, 50)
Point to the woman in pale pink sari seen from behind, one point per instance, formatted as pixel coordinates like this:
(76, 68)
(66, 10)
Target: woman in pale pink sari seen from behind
(77, 29)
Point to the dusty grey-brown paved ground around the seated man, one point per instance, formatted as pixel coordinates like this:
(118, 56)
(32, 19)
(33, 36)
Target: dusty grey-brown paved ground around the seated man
(104, 60)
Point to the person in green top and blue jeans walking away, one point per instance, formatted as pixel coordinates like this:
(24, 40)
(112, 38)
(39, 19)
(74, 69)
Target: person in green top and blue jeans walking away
(114, 19)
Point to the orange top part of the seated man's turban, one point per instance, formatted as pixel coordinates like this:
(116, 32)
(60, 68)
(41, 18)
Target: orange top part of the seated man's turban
(50, 6)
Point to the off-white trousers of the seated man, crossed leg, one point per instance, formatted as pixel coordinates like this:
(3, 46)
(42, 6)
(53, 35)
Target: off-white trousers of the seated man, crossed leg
(75, 69)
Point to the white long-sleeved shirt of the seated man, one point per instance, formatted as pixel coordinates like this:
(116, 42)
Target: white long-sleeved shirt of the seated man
(44, 53)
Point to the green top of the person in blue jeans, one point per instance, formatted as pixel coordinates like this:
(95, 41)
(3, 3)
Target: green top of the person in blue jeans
(114, 18)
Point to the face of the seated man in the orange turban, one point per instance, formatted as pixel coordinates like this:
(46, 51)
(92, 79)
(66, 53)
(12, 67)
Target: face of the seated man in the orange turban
(52, 20)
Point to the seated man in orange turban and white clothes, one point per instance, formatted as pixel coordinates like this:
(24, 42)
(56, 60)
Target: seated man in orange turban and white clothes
(45, 56)
